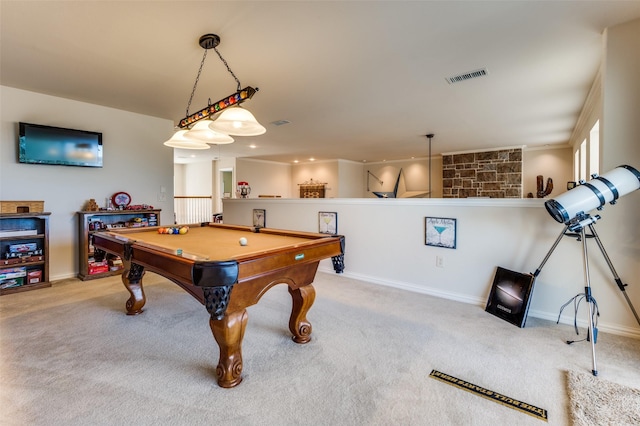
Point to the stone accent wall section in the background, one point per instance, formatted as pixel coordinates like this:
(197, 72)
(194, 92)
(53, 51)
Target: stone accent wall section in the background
(494, 174)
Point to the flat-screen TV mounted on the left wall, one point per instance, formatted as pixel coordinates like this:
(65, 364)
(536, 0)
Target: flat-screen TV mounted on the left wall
(40, 144)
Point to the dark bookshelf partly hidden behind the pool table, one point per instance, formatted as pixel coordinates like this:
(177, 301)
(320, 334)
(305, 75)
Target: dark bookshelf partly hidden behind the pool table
(95, 264)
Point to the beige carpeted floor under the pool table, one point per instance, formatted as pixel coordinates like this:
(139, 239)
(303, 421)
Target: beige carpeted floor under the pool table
(70, 356)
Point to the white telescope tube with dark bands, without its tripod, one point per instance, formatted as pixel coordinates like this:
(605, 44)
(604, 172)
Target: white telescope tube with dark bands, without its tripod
(594, 194)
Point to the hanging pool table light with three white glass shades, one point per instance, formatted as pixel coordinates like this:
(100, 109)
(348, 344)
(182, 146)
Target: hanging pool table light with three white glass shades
(197, 129)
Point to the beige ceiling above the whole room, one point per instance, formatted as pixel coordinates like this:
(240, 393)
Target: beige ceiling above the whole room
(357, 80)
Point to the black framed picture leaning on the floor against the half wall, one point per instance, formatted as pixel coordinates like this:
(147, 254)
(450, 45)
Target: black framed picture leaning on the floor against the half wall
(510, 296)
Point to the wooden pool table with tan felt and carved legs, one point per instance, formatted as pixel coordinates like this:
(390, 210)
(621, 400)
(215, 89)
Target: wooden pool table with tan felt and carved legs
(211, 265)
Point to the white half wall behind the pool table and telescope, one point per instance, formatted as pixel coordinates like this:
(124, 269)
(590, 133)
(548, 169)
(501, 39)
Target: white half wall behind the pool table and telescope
(385, 245)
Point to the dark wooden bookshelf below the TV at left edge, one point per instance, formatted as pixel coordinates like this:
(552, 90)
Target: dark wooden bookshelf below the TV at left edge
(24, 252)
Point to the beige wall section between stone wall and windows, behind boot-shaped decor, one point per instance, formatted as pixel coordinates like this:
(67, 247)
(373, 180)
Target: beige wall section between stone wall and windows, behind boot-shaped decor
(554, 163)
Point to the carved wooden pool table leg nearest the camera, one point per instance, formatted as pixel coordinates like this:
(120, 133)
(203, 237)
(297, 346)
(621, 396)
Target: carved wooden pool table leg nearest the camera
(229, 332)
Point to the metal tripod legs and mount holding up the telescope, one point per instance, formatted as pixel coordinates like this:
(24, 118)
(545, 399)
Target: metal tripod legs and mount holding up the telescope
(576, 228)
